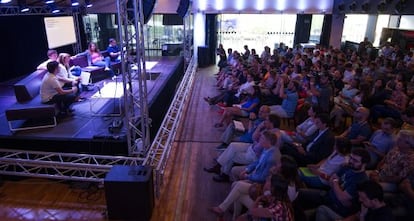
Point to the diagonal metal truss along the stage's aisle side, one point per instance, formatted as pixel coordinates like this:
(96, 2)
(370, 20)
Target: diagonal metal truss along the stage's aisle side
(160, 149)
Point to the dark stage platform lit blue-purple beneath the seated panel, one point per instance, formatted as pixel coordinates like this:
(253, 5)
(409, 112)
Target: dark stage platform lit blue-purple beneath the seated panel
(87, 130)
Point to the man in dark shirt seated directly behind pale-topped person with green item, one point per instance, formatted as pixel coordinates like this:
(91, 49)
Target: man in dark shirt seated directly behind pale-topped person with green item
(360, 130)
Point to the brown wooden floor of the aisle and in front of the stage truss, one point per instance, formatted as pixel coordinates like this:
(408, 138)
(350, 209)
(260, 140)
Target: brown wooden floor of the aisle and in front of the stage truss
(187, 190)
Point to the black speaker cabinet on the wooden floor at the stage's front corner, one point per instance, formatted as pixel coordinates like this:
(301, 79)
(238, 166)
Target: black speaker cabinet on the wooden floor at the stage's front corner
(129, 193)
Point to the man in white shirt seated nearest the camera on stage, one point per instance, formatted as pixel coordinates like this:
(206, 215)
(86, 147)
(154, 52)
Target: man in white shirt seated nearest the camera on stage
(51, 91)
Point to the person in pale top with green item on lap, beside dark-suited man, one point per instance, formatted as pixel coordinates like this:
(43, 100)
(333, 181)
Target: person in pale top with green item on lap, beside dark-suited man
(317, 175)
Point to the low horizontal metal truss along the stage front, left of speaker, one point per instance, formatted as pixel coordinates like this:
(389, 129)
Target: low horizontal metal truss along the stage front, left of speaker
(66, 166)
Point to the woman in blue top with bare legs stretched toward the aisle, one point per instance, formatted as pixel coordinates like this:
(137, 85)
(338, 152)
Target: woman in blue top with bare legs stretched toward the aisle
(242, 110)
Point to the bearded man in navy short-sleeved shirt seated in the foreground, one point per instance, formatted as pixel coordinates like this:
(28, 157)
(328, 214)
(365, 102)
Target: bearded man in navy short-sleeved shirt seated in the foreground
(342, 198)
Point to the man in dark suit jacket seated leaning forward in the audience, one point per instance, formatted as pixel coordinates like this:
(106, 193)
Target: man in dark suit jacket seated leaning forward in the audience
(320, 147)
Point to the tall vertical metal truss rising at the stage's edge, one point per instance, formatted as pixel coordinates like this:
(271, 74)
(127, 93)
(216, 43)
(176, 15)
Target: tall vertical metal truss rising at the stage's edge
(131, 34)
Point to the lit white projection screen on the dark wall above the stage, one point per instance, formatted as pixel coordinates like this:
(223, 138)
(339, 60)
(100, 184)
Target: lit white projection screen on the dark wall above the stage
(60, 31)
